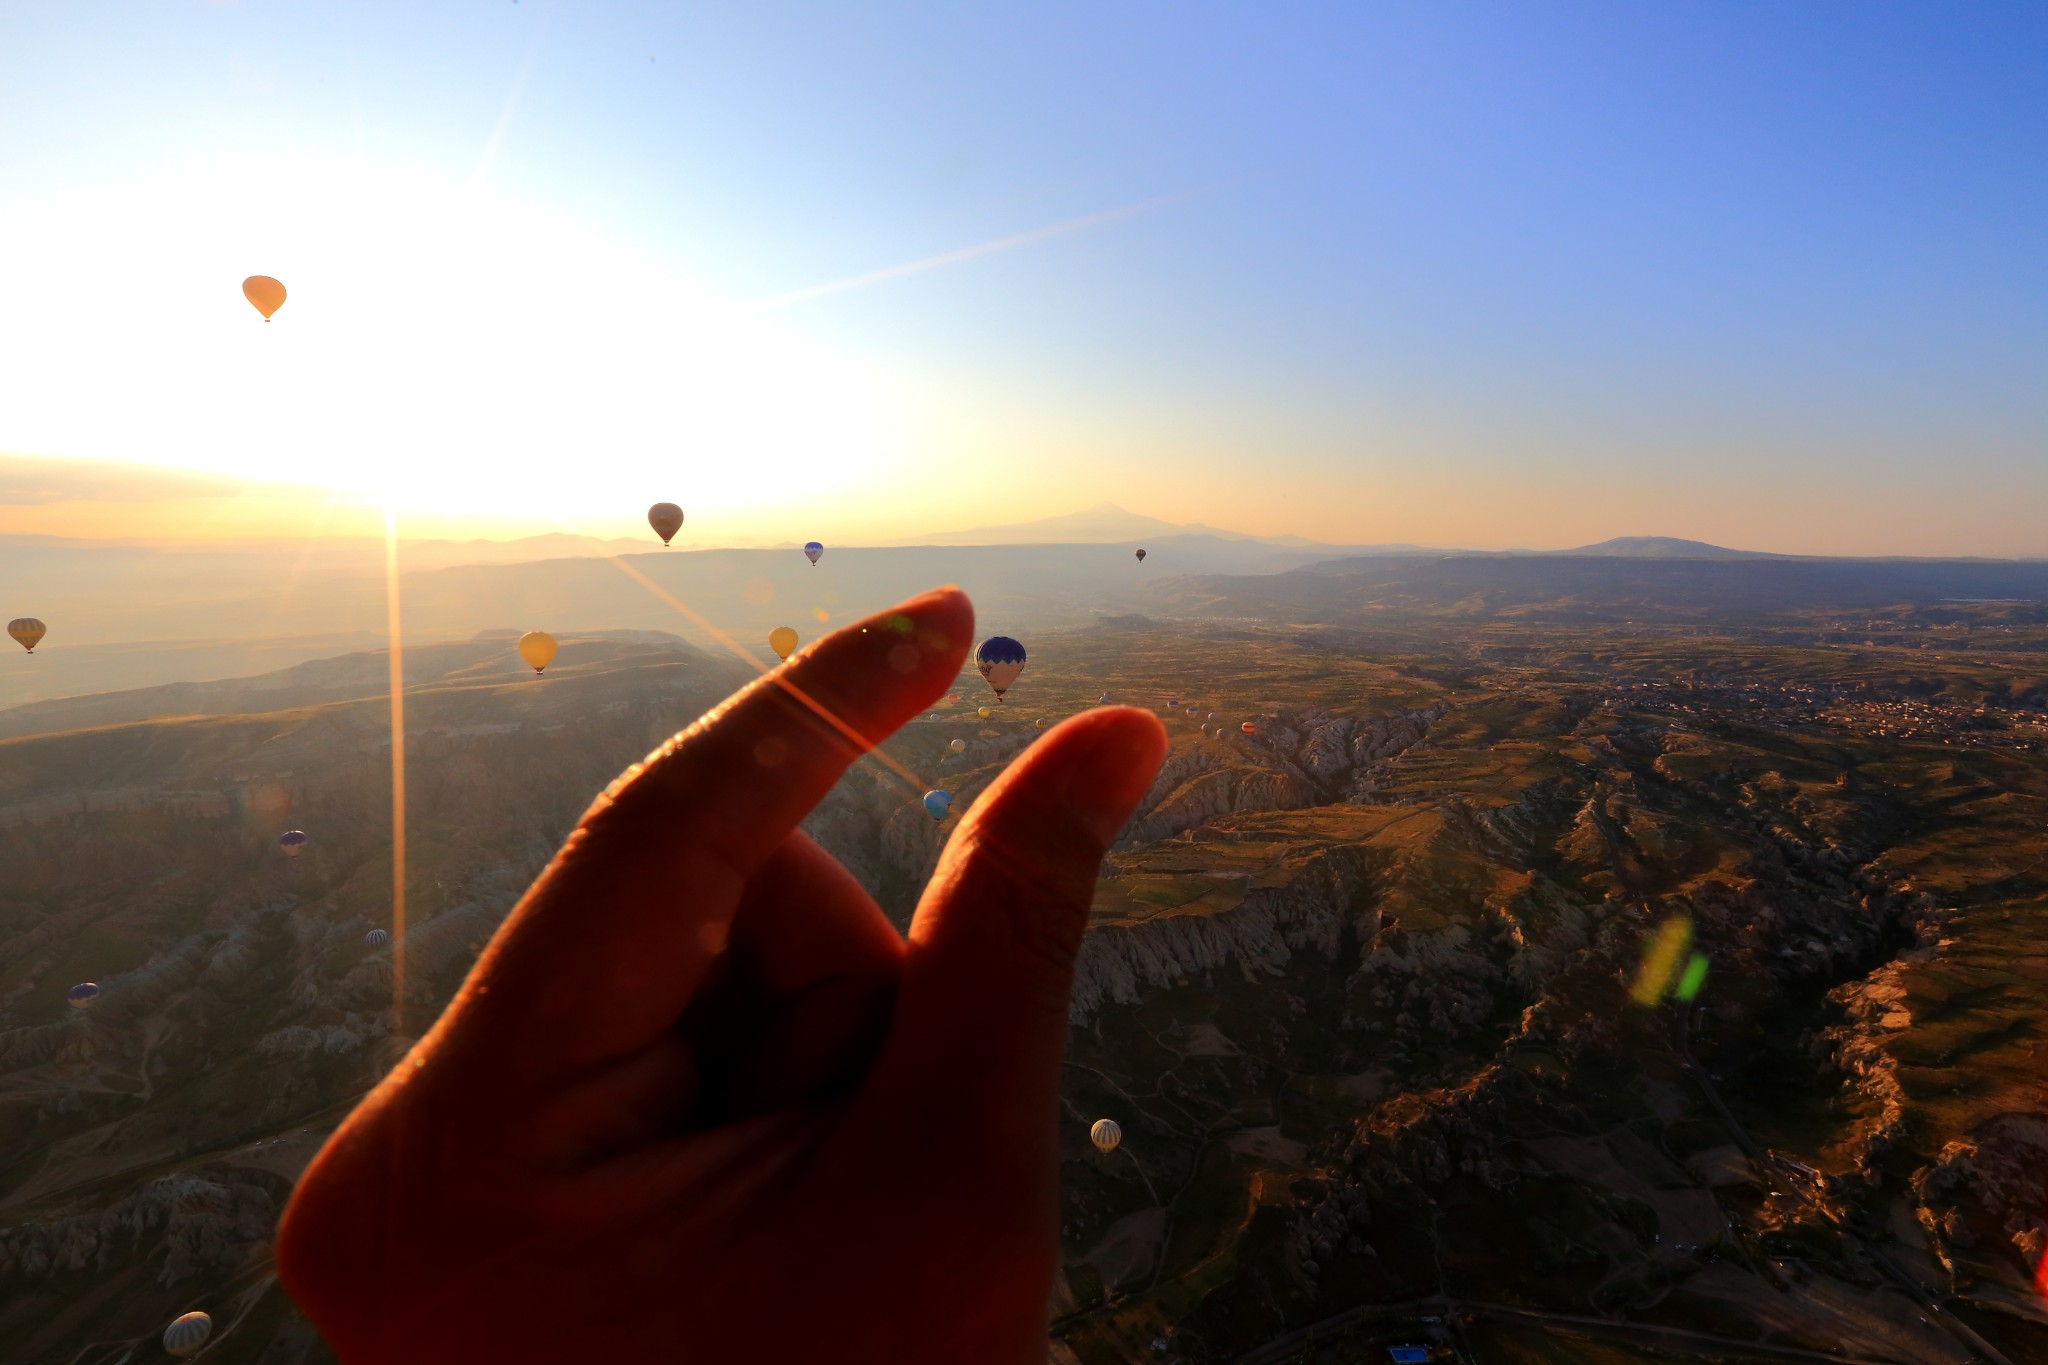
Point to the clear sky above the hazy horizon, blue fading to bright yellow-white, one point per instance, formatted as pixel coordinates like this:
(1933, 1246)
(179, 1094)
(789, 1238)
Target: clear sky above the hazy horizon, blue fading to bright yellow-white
(1459, 275)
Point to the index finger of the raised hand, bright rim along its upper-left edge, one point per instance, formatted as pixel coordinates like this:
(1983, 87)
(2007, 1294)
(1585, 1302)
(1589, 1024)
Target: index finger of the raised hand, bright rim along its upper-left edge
(617, 934)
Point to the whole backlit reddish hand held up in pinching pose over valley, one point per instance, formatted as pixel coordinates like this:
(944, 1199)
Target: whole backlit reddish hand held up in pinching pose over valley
(701, 1102)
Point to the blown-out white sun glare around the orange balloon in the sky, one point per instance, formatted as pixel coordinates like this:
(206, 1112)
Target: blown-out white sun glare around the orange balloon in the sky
(443, 351)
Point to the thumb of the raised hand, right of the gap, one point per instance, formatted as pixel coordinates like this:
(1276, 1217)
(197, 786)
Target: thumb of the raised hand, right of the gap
(982, 1014)
